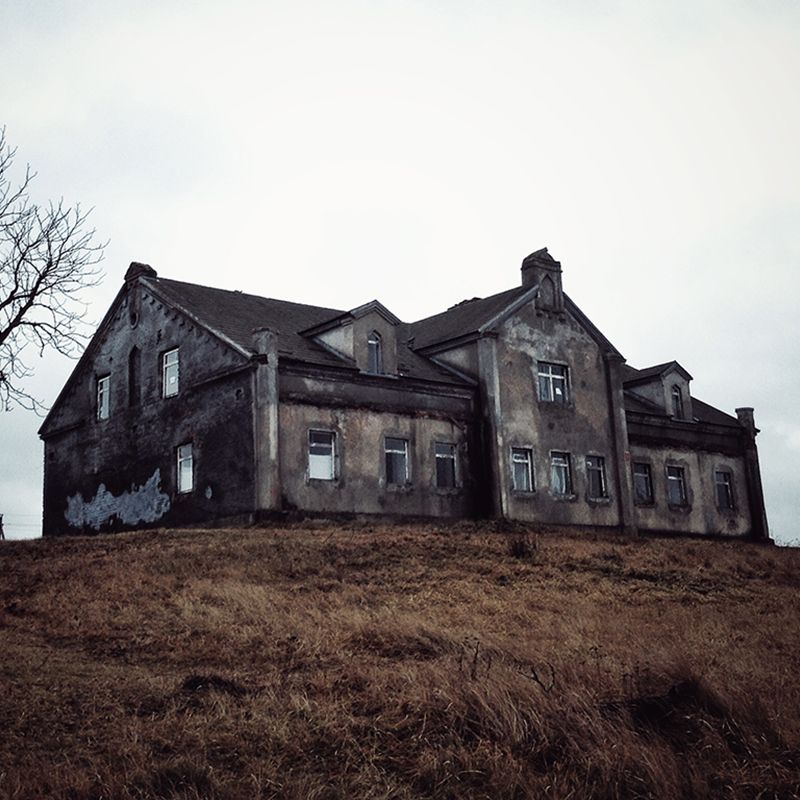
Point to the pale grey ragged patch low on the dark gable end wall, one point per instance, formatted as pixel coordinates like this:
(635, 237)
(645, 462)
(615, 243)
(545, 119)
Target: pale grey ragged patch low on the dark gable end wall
(145, 503)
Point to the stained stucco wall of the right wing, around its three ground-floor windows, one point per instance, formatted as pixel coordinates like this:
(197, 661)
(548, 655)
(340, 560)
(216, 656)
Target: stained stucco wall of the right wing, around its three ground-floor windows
(701, 514)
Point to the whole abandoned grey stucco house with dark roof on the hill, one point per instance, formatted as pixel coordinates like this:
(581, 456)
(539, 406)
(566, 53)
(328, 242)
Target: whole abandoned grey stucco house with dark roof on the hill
(193, 405)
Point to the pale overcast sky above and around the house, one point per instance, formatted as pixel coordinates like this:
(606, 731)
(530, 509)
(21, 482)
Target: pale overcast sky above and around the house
(334, 152)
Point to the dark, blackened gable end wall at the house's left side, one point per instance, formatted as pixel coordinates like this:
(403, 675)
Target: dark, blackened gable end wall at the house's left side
(121, 472)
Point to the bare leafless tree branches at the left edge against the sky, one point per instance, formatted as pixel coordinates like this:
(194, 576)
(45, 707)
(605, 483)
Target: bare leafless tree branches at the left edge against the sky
(48, 256)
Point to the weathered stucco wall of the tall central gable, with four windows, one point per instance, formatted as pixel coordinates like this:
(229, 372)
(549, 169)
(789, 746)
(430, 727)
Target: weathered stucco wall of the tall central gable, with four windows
(581, 427)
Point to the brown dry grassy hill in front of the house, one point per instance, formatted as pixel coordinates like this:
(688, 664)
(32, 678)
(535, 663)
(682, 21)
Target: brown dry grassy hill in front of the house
(397, 662)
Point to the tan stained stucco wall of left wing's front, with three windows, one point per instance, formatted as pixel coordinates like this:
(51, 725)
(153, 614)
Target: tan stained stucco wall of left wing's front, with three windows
(360, 483)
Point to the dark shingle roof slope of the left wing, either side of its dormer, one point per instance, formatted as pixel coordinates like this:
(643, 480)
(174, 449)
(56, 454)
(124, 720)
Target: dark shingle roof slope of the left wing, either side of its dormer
(235, 315)
